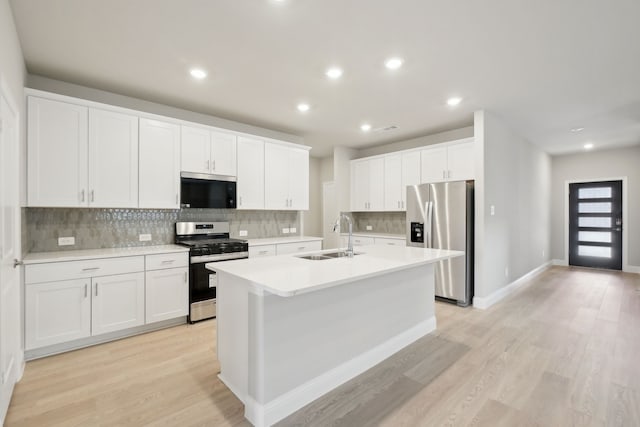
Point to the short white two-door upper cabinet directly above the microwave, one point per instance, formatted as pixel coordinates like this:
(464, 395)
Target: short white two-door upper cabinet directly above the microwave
(208, 151)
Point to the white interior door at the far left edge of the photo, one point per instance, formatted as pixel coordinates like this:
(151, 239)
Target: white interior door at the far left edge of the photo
(10, 307)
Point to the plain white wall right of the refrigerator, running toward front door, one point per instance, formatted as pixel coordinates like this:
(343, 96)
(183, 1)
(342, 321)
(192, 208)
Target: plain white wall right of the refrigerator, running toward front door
(513, 176)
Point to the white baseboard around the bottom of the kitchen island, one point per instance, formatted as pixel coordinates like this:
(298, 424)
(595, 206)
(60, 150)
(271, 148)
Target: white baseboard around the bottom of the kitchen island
(270, 413)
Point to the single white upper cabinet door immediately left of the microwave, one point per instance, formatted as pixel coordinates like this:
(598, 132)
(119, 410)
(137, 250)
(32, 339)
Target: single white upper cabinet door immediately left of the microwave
(159, 183)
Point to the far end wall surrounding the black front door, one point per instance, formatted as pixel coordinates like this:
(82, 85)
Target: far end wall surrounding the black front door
(593, 166)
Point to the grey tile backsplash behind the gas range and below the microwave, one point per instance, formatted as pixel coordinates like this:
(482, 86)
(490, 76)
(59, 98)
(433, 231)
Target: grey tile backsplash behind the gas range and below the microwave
(114, 228)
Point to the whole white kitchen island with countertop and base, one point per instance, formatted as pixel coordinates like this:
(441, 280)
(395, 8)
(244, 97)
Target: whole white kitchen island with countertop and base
(291, 329)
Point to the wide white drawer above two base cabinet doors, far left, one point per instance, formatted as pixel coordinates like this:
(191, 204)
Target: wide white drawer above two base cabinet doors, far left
(68, 270)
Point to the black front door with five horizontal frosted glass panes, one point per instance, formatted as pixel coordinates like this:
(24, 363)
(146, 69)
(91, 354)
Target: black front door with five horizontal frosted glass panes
(595, 224)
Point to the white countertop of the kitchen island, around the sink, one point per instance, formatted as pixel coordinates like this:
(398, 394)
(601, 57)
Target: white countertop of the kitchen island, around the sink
(289, 275)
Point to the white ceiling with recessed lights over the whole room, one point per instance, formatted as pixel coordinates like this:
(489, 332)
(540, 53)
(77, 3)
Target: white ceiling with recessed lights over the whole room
(544, 66)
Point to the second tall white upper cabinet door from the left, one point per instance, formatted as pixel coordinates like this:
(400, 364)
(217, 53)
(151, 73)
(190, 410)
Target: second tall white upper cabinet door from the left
(113, 159)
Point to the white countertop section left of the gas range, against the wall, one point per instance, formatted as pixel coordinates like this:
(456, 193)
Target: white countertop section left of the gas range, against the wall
(83, 254)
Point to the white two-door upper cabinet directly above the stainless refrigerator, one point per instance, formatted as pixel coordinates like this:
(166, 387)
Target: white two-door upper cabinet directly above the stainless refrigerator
(452, 162)
